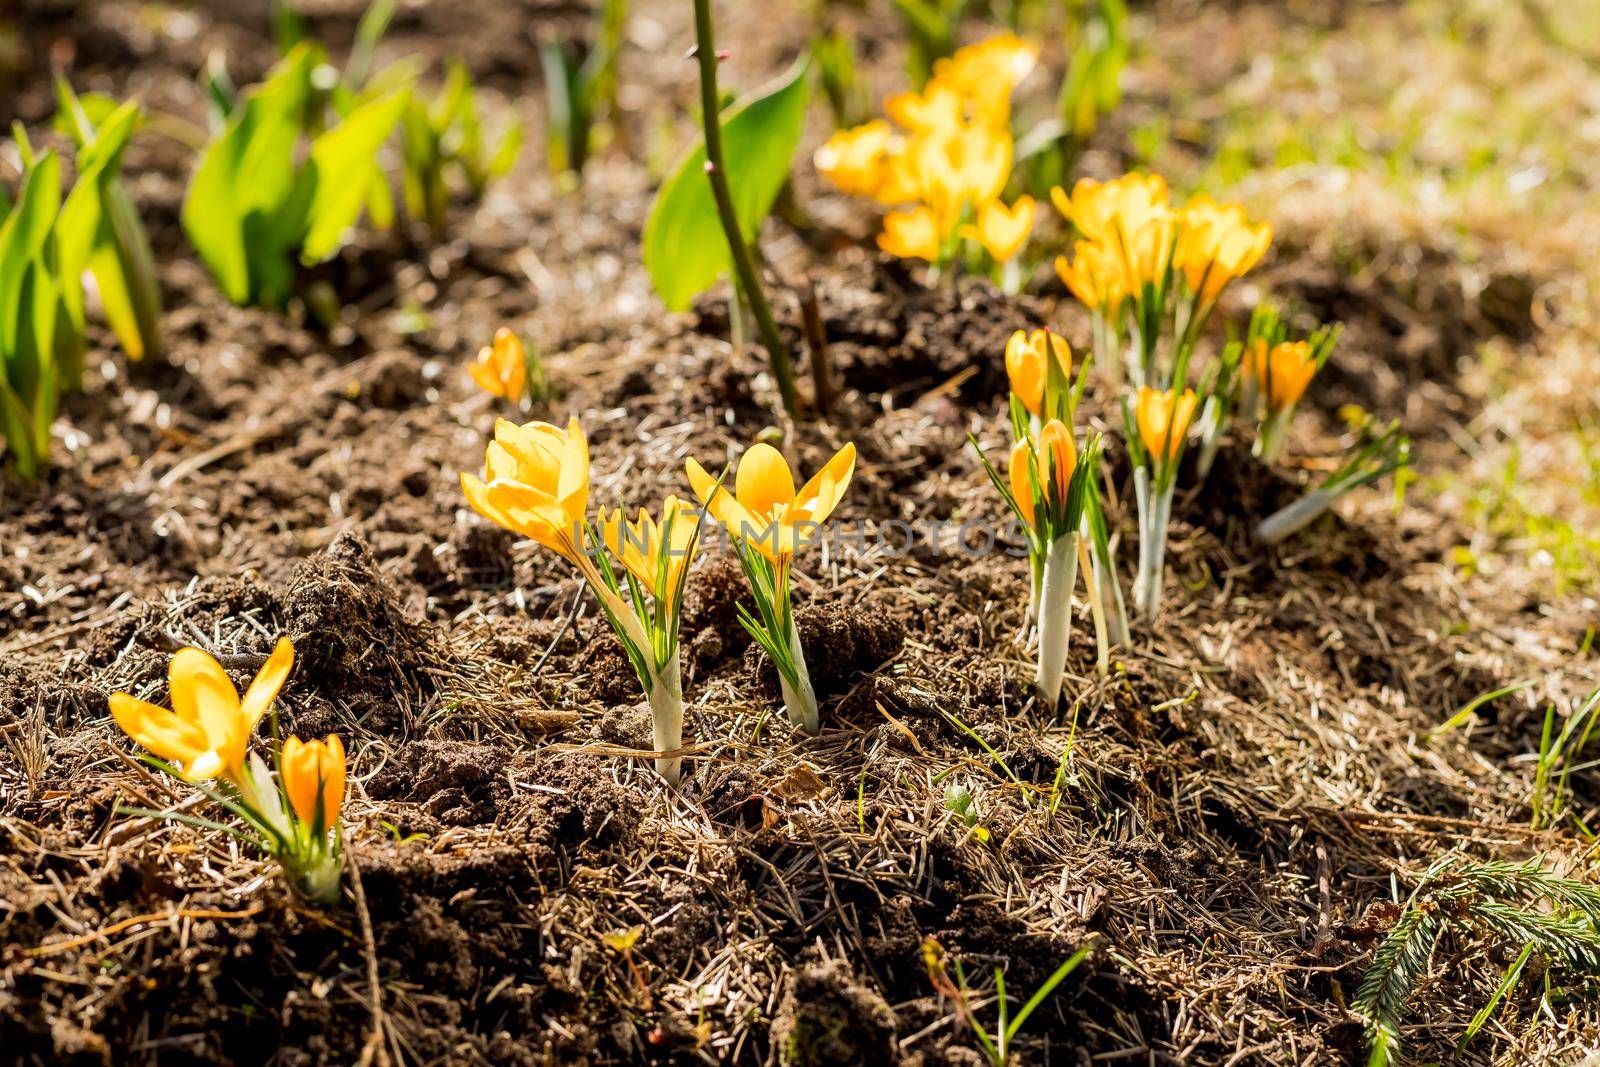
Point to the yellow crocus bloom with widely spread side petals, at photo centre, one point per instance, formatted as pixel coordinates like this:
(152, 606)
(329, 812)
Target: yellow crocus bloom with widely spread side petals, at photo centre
(764, 510)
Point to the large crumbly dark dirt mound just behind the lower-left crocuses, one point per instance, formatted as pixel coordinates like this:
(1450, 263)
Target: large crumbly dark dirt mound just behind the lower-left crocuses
(354, 641)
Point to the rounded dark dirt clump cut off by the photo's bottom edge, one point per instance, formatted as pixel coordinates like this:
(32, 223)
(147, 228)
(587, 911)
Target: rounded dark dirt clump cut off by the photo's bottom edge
(830, 1017)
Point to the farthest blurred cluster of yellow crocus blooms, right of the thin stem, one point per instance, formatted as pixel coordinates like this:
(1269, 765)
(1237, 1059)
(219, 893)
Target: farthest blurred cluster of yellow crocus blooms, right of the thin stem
(945, 164)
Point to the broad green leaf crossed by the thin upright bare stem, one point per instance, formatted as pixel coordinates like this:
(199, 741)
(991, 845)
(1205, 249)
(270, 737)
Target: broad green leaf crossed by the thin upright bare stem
(686, 250)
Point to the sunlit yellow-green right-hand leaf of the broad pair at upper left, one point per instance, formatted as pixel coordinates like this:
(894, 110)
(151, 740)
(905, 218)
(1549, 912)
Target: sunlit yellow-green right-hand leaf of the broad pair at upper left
(342, 170)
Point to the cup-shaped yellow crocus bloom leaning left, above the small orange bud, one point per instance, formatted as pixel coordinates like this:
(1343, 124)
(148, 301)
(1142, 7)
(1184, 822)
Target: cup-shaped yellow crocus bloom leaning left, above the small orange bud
(537, 484)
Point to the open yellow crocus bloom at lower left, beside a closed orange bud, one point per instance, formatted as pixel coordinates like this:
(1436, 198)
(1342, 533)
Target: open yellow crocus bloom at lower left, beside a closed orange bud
(209, 729)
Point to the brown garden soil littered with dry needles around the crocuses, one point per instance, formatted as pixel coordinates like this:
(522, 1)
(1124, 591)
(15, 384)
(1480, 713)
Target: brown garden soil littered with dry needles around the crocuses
(1238, 796)
